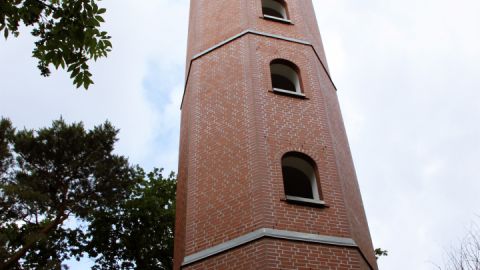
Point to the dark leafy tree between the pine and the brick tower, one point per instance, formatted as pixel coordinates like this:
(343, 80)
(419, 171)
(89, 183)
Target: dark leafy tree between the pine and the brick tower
(143, 232)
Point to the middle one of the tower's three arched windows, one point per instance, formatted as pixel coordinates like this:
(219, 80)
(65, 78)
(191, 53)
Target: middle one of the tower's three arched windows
(285, 76)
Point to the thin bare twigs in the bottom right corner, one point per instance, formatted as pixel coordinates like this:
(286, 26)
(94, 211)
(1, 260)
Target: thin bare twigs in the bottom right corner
(467, 255)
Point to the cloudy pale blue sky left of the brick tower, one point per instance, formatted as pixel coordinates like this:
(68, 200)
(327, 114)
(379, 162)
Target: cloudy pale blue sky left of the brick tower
(144, 35)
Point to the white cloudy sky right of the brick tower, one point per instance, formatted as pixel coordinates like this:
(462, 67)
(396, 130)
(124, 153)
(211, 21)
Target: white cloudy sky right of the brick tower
(409, 71)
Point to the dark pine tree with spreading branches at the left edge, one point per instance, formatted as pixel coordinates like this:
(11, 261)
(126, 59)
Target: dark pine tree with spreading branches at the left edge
(58, 172)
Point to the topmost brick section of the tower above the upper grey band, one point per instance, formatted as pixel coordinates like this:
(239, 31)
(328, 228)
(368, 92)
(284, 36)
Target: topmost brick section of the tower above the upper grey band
(213, 21)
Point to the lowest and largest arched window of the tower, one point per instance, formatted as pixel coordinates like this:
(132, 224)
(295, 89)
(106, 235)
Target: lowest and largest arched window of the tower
(299, 177)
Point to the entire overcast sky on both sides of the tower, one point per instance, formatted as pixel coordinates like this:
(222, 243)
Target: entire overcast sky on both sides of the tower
(408, 81)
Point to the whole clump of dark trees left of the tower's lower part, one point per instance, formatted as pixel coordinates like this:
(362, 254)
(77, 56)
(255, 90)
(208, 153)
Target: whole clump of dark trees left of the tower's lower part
(64, 194)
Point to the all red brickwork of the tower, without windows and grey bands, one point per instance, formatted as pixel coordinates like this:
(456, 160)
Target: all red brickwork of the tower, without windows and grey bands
(235, 131)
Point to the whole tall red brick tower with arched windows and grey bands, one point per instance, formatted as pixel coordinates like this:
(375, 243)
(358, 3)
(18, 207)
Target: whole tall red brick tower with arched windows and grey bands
(266, 179)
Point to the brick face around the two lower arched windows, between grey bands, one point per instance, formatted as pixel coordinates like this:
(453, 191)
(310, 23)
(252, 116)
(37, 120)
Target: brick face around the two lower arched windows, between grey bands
(293, 124)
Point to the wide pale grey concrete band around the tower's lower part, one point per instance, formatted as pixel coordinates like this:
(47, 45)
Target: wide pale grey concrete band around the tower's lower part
(269, 233)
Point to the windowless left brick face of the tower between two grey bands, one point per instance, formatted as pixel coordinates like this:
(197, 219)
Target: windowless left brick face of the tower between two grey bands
(219, 204)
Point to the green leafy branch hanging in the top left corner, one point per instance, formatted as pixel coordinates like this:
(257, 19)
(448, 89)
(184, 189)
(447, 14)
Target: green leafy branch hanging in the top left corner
(68, 33)
